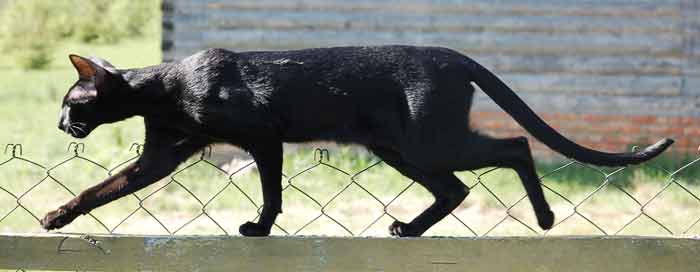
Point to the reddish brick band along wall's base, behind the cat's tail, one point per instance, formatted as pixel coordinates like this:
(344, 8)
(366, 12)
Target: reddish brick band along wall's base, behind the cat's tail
(613, 133)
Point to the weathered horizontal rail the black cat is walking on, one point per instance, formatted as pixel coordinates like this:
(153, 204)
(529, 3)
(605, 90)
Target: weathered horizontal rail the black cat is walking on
(225, 253)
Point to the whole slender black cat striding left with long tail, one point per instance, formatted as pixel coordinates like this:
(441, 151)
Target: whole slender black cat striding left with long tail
(408, 105)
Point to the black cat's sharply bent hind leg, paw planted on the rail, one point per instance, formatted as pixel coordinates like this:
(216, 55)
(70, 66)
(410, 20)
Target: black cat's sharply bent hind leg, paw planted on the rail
(447, 190)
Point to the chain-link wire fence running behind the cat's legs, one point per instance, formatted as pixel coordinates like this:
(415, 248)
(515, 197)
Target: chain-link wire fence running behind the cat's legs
(204, 198)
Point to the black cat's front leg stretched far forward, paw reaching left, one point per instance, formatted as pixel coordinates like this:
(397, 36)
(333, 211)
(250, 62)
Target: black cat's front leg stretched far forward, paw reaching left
(160, 157)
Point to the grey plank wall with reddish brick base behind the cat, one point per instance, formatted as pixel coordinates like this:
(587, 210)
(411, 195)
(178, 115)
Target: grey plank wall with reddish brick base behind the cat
(608, 73)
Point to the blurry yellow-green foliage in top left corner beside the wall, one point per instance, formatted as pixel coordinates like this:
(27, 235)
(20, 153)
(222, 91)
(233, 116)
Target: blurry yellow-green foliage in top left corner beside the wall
(30, 30)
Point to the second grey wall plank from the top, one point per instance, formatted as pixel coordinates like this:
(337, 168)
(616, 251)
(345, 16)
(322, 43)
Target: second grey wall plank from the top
(389, 21)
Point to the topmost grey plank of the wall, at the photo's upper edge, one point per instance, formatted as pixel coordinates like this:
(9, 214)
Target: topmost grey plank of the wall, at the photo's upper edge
(666, 8)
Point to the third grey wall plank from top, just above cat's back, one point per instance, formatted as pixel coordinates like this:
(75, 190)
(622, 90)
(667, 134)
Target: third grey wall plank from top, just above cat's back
(503, 43)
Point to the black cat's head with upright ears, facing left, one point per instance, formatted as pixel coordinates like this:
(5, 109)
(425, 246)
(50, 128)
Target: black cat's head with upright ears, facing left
(93, 99)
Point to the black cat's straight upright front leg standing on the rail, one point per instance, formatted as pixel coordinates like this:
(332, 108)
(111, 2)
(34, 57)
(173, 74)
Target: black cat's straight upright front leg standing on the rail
(268, 157)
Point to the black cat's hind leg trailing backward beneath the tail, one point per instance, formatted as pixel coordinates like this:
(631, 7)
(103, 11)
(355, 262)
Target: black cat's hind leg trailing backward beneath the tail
(514, 153)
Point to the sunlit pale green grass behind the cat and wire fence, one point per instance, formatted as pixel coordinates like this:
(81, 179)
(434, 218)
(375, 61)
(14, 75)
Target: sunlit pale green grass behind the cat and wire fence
(29, 105)
